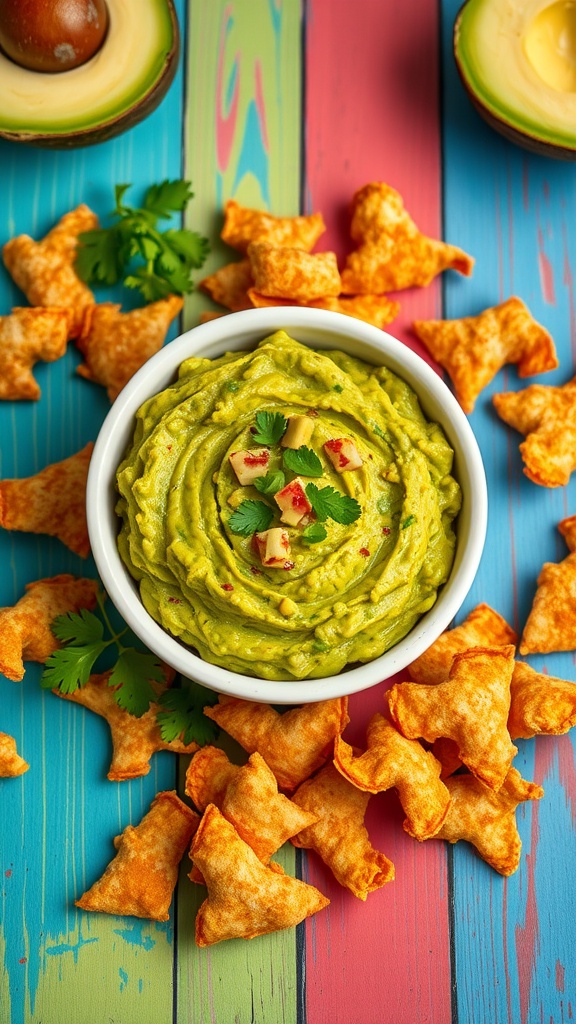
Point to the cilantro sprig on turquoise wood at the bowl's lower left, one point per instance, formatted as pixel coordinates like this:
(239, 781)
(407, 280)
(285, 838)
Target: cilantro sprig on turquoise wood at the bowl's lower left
(85, 639)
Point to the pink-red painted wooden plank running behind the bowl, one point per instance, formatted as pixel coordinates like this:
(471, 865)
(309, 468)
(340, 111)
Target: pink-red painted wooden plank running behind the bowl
(373, 114)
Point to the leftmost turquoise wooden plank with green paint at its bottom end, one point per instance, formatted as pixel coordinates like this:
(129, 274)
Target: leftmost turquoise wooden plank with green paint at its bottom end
(59, 820)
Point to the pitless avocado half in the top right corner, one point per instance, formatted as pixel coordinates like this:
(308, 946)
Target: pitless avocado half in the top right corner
(517, 60)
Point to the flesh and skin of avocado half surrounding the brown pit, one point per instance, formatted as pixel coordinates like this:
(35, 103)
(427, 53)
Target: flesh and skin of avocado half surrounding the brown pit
(118, 88)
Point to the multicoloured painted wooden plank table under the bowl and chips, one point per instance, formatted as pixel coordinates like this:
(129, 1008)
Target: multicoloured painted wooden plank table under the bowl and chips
(294, 109)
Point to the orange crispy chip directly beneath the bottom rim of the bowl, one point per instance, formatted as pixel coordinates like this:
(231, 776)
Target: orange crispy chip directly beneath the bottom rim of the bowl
(294, 745)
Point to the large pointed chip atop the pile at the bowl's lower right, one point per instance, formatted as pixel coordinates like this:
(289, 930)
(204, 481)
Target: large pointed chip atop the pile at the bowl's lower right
(471, 708)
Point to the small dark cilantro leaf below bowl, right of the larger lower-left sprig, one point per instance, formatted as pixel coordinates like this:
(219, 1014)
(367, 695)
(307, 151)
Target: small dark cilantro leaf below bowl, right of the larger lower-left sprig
(184, 715)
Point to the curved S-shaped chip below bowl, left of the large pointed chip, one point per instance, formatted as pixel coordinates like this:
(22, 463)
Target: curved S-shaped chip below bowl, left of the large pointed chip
(392, 760)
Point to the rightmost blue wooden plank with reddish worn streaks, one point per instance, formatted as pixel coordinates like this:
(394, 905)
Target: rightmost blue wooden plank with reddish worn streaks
(515, 940)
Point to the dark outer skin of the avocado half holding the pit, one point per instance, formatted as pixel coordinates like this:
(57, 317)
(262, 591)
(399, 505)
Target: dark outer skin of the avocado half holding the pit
(125, 121)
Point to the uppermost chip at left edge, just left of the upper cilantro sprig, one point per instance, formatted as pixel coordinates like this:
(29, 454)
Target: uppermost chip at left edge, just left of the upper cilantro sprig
(45, 271)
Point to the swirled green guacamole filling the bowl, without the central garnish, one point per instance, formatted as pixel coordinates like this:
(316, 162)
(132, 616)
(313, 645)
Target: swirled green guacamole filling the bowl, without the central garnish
(353, 595)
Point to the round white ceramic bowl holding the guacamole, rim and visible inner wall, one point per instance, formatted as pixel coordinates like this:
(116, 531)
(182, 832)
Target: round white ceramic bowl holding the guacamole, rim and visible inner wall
(318, 329)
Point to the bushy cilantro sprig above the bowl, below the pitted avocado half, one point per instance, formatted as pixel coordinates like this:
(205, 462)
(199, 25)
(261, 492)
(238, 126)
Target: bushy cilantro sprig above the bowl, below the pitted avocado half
(134, 249)
